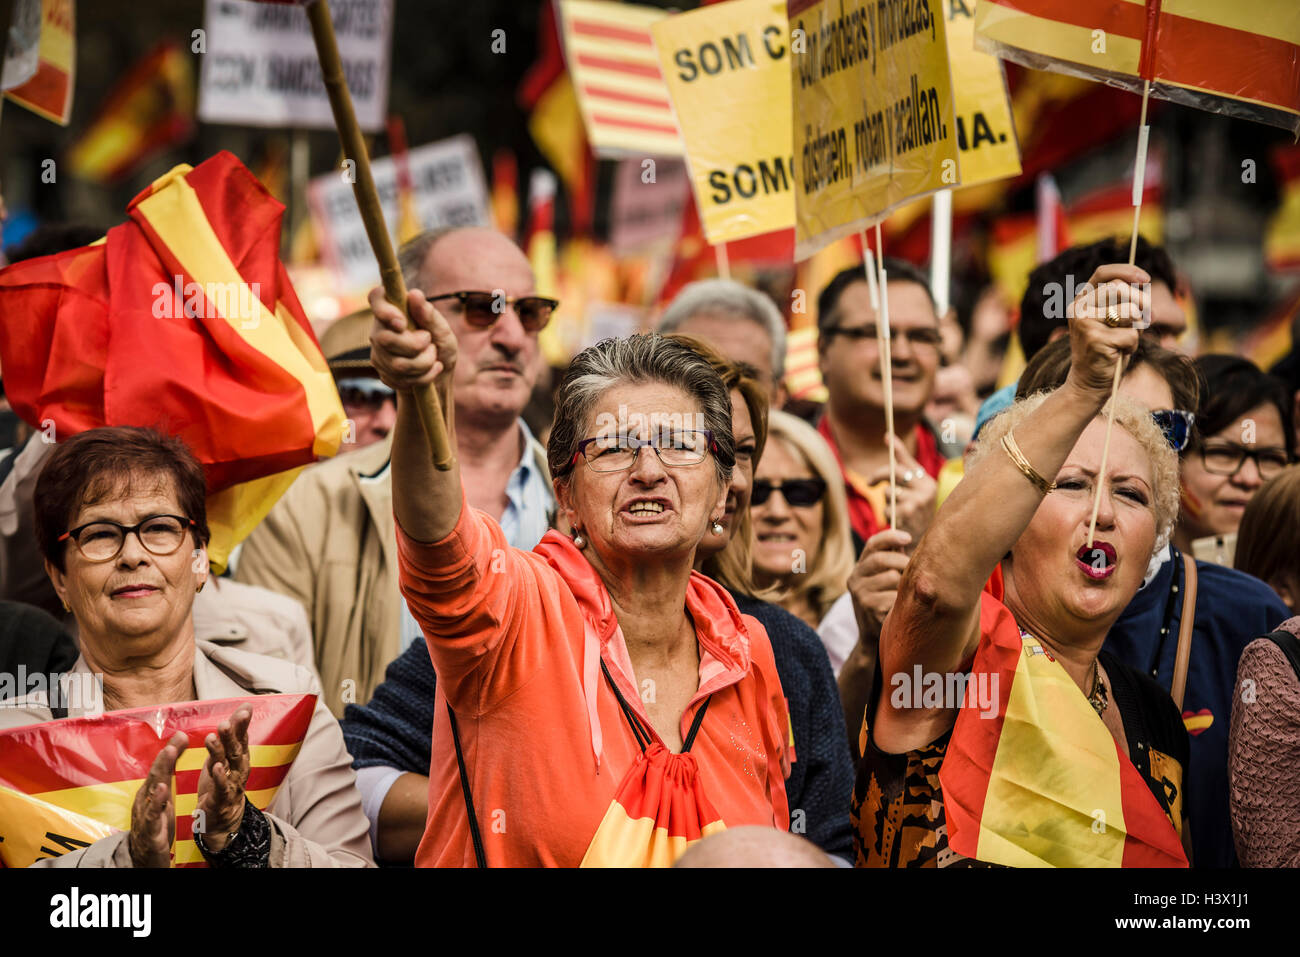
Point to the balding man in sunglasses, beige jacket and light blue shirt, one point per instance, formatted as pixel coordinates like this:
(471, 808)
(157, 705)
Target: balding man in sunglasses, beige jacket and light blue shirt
(331, 542)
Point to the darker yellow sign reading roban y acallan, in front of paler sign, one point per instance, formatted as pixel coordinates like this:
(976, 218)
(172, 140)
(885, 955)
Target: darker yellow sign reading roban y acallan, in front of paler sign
(874, 123)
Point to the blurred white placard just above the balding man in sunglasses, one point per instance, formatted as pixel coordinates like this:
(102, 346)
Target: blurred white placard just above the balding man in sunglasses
(449, 188)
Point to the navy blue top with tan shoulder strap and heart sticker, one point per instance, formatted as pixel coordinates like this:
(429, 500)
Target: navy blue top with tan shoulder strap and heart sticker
(1233, 609)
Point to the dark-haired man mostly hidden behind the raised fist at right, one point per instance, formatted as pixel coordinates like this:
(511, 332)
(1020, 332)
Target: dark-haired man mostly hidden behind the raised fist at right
(1054, 284)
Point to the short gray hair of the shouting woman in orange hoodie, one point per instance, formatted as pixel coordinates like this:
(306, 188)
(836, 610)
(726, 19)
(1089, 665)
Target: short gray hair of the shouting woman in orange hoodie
(645, 358)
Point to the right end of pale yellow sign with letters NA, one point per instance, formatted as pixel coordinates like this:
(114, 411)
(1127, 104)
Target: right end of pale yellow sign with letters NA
(986, 133)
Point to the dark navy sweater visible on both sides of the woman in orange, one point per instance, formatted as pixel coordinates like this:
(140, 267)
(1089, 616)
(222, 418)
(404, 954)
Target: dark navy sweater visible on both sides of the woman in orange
(396, 729)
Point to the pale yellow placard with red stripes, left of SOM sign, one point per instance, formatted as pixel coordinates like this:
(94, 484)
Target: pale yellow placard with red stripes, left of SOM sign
(612, 58)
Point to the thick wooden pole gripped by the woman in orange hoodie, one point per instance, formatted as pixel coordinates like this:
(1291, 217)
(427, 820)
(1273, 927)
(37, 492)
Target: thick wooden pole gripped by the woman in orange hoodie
(372, 214)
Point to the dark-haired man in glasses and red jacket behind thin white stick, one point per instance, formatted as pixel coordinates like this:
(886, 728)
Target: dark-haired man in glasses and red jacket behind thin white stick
(855, 421)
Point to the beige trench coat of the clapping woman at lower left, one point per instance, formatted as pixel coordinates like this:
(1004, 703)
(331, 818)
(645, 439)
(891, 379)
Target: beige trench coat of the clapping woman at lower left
(317, 817)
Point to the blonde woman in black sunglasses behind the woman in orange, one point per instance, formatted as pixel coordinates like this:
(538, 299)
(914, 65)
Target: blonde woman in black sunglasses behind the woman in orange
(801, 521)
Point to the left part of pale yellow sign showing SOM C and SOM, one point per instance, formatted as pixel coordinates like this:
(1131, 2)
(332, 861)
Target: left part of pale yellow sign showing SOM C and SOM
(729, 73)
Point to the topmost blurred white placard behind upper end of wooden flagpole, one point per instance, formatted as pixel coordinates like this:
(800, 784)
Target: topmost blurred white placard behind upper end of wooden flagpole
(261, 68)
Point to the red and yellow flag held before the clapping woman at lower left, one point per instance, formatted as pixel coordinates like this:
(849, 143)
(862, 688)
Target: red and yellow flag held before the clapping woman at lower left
(67, 783)
